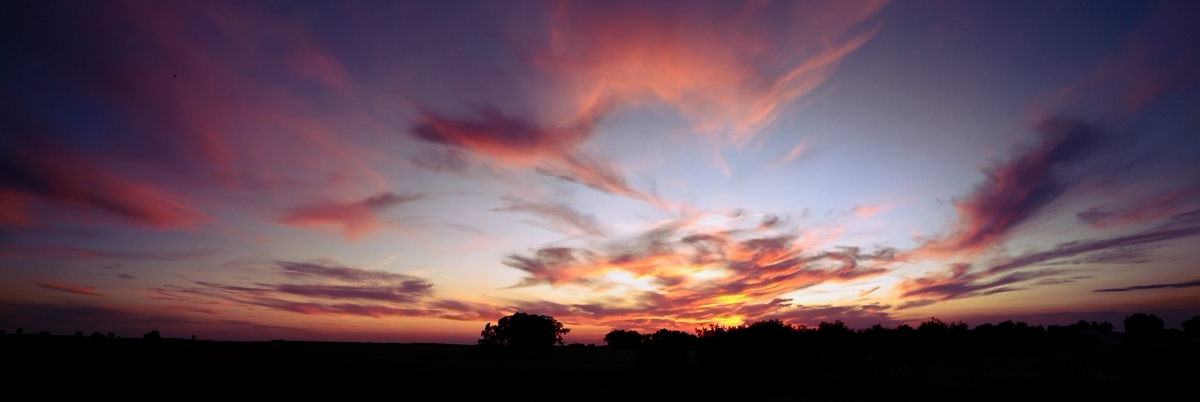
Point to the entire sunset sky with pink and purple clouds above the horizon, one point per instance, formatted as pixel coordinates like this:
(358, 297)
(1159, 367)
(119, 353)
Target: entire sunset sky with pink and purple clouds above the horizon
(407, 172)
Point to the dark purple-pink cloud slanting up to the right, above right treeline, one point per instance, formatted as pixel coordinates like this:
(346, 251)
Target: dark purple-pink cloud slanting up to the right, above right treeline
(1015, 191)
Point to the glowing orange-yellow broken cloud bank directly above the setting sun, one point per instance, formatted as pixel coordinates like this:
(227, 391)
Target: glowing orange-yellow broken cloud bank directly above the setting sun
(692, 271)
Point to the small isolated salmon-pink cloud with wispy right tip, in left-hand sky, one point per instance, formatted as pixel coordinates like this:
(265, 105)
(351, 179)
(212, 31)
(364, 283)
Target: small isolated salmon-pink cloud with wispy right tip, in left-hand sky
(355, 220)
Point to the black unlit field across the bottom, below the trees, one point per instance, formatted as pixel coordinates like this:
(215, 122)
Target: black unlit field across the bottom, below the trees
(441, 373)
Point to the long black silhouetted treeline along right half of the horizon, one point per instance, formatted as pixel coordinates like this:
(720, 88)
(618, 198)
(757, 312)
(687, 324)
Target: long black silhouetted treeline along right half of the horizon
(776, 343)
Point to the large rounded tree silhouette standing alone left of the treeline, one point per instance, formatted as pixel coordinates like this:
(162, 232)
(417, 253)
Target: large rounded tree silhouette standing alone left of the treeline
(524, 332)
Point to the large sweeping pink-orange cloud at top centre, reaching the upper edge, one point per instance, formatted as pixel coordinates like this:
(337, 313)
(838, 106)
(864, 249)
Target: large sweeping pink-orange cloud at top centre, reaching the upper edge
(577, 63)
